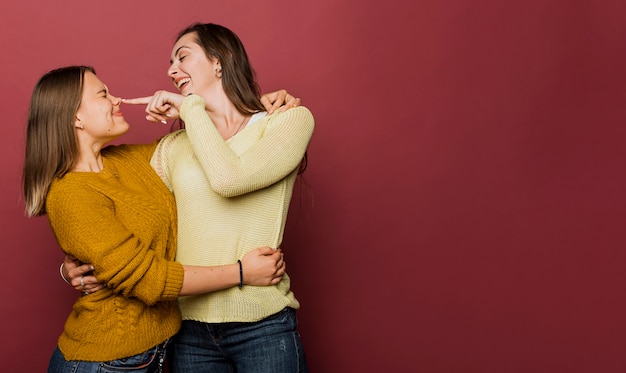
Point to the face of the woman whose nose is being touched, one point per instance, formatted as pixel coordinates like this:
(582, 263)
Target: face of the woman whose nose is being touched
(99, 113)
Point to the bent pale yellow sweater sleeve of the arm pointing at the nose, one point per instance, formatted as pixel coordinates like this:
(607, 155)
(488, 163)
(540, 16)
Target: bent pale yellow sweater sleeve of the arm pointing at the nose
(277, 152)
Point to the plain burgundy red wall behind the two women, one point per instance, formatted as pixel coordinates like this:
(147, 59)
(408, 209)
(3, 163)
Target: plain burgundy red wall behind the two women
(464, 206)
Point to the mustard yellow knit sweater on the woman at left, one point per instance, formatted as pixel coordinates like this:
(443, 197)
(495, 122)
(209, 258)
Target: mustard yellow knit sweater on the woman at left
(123, 221)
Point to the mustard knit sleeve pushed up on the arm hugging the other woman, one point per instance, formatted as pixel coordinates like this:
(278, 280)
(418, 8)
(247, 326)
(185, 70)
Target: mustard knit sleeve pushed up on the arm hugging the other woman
(85, 226)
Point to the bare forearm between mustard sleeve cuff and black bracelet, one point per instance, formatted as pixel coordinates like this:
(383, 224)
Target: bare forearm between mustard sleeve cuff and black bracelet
(201, 280)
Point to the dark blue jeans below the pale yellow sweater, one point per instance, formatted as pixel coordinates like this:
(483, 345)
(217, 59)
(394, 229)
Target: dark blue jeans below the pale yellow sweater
(271, 345)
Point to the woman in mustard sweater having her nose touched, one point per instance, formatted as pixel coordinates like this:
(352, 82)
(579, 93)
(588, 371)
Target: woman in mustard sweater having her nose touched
(108, 207)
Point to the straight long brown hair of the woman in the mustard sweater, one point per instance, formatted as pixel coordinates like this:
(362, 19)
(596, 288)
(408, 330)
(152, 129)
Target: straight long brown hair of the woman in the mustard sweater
(51, 143)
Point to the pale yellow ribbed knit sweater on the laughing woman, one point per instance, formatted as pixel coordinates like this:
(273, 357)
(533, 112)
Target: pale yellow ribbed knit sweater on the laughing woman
(243, 205)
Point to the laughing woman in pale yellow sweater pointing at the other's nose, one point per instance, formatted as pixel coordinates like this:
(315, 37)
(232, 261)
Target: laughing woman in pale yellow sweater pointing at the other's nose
(234, 165)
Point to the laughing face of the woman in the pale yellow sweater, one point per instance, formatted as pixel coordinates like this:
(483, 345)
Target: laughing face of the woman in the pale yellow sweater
(190, 69)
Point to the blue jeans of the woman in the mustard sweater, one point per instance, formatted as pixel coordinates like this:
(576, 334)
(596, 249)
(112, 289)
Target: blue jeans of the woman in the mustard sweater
(150, 361)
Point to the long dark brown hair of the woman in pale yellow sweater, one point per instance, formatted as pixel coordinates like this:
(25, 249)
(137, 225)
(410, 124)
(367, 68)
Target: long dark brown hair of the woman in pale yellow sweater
(238, 76)
